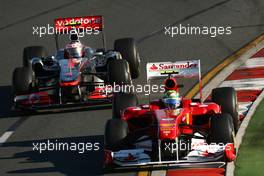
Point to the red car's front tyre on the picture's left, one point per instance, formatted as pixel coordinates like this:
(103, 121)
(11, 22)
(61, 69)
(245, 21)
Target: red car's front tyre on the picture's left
(115, 132)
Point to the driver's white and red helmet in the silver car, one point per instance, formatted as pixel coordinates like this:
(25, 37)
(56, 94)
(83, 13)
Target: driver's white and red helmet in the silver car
(74, 50)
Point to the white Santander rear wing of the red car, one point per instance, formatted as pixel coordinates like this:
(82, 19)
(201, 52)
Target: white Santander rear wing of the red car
(178, 69)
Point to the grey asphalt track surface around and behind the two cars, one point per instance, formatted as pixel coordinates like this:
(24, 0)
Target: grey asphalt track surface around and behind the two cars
(143, 20)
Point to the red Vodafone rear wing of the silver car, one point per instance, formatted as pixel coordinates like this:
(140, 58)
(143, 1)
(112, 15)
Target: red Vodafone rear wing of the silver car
(69, 25)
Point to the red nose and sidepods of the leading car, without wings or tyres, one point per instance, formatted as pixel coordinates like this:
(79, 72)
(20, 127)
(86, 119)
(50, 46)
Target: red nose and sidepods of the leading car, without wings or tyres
(170, 123)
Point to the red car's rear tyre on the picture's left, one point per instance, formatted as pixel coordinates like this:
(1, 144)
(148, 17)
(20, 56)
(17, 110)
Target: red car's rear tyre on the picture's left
(121, 101)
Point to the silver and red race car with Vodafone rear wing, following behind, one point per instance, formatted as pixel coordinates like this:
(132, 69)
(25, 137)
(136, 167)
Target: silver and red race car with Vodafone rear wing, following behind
(76, 75)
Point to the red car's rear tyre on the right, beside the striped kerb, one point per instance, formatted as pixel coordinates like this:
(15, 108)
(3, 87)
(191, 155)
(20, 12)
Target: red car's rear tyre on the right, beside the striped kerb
(226, 98)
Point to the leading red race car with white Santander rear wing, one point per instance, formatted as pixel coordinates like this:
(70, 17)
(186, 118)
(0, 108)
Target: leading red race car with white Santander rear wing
(193, 133)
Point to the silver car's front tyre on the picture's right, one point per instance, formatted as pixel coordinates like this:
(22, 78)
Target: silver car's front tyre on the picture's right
(118, 72)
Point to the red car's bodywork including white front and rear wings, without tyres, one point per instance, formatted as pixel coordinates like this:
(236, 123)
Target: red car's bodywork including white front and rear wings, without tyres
(161, 125)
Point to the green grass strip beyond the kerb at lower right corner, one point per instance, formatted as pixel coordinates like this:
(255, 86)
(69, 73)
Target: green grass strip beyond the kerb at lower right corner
(250, 160)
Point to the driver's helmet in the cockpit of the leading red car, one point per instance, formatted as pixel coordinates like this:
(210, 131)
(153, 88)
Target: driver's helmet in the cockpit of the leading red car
(172, 99)
